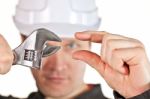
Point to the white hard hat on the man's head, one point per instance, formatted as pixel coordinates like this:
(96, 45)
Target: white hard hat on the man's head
(63, 17)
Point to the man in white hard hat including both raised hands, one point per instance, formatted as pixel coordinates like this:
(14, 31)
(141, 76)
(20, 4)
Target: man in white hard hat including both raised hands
(61, 77)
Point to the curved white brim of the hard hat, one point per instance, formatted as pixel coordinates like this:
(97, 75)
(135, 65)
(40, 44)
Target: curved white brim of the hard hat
(61, 29)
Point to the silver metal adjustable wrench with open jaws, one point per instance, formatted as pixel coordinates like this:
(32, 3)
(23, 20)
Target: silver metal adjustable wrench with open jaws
(31, 51)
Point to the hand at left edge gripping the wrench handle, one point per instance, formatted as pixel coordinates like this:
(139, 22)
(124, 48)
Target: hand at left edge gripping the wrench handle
(6, 56)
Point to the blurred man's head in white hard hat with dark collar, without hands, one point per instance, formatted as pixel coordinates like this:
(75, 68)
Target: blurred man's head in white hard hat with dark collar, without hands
(60, 77)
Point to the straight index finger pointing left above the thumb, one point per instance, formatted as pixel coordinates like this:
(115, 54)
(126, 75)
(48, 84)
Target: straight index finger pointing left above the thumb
(93, 36)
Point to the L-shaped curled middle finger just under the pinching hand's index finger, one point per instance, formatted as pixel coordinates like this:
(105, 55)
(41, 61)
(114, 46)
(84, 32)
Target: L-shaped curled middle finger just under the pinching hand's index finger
(118, 44)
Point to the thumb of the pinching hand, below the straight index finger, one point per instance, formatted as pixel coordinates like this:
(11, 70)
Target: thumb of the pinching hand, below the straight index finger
(90, 58)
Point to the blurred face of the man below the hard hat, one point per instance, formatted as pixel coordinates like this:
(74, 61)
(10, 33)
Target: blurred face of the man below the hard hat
(60, 74)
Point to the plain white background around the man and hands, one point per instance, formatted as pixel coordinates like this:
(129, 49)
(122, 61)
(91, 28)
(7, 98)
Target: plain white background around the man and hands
(125, 17)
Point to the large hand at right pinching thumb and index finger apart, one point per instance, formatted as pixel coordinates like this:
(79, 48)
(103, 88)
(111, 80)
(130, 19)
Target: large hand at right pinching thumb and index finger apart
(123, 62)
